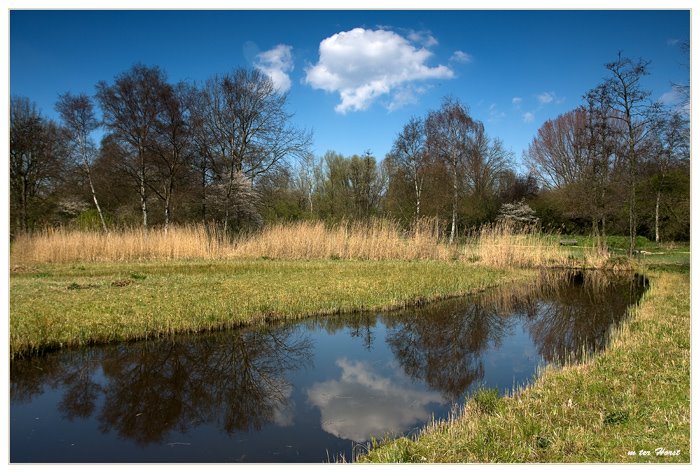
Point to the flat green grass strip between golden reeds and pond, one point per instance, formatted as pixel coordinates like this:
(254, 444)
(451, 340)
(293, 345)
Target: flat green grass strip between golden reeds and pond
(57, 305)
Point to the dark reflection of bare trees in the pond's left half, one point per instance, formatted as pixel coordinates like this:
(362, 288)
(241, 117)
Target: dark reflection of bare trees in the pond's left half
(235, 378)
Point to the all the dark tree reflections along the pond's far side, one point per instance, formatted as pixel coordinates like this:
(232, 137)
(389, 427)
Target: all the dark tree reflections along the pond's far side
(237, 378)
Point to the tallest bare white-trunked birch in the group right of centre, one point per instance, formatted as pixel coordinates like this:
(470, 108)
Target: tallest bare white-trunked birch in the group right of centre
(450, 132)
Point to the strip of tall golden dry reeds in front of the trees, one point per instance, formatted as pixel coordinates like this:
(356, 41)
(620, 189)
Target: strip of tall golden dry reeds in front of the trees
(498, 245)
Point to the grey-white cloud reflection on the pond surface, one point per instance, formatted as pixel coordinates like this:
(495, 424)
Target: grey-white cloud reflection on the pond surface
(364, 403)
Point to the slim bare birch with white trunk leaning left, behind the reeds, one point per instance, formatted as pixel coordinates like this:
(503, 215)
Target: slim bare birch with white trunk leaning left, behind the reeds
(79, 122)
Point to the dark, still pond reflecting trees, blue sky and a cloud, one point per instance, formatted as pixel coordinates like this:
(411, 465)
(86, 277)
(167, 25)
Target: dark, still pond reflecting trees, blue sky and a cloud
(310, 391)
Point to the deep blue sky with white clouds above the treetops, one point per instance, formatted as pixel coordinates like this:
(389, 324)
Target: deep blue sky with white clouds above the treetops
(355, 77)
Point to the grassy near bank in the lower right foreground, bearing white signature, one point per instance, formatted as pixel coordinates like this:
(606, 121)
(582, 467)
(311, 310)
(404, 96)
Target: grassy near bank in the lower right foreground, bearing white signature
(634, 397)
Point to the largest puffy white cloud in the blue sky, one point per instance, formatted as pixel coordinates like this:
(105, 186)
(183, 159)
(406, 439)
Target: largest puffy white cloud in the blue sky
(362, 65)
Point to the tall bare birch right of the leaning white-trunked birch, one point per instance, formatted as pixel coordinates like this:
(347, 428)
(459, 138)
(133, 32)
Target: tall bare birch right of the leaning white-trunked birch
(131, 107)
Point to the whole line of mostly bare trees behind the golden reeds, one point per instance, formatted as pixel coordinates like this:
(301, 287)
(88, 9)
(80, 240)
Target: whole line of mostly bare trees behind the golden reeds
(226, 152)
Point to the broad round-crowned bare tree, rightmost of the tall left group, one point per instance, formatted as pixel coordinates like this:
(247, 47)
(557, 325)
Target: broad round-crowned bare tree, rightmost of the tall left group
(245, 128)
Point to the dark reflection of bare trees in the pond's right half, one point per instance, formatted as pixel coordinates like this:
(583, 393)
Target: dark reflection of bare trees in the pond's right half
(566, 314)
